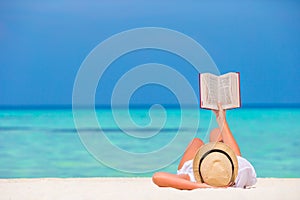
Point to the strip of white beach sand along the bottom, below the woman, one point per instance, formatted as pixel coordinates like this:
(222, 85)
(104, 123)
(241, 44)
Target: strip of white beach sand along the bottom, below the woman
(138, 188)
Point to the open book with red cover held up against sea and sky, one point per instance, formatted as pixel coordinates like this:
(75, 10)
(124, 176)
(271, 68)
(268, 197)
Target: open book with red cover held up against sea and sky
(224, 89)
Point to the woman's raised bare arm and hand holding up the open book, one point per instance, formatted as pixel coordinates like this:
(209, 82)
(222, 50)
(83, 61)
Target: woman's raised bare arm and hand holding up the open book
(225, 130)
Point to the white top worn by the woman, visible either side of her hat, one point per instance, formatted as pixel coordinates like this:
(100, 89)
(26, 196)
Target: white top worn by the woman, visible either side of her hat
(246, 172)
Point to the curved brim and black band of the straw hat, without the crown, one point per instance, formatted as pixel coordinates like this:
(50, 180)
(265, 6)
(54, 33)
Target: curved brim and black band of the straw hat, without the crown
(205, 150)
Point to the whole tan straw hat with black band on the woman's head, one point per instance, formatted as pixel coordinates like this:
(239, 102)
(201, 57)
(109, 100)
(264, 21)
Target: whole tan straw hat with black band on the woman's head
(215, 164)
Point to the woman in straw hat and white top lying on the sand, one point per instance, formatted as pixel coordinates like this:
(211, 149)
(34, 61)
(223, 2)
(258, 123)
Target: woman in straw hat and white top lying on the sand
(217, 164)
